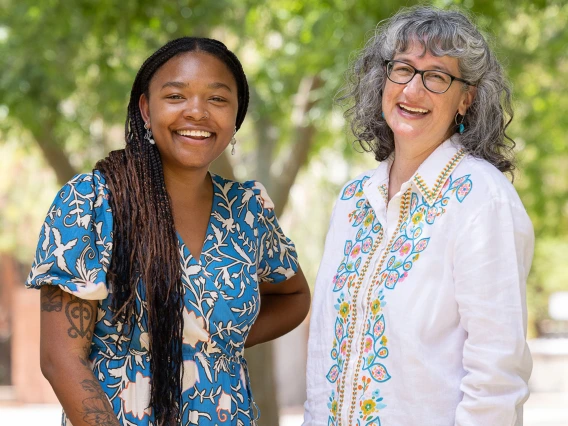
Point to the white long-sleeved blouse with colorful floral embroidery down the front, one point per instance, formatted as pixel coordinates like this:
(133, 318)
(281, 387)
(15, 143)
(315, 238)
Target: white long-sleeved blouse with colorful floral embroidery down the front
(419, 313)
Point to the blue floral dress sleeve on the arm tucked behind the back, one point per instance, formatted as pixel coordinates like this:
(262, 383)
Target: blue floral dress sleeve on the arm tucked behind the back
(277, 258)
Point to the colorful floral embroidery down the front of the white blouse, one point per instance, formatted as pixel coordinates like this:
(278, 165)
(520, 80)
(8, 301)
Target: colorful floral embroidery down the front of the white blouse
(418, 211)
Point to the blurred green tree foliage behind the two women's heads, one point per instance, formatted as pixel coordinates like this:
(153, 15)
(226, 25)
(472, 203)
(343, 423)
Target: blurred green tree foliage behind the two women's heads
(68, 66)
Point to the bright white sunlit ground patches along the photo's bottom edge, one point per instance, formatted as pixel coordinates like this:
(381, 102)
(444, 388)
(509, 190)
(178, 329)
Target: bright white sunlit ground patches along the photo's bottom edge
(542, 409)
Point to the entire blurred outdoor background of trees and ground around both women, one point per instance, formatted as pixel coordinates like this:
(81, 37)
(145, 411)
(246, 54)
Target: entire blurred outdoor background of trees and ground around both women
(66, 71)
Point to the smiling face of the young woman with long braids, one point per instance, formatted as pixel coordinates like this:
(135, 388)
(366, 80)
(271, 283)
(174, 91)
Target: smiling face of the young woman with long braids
(191, 109)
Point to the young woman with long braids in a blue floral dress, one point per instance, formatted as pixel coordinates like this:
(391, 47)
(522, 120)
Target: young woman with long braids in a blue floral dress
(154, 273)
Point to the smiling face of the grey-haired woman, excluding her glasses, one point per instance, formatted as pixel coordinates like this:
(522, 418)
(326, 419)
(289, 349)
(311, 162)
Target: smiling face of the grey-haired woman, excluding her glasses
(420, 119)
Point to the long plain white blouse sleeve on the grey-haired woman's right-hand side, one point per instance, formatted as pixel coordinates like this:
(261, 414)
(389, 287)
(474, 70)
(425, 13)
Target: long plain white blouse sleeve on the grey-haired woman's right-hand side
(492, 261)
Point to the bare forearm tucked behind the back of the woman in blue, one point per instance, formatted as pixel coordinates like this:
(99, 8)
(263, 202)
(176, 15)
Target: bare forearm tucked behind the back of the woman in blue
(279, 314)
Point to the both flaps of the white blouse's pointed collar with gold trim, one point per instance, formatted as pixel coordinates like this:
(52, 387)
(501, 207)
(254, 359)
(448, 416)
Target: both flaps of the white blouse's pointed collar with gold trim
(429, 179)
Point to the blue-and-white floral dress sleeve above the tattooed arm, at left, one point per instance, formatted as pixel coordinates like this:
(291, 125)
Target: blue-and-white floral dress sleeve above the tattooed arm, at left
(75, 243)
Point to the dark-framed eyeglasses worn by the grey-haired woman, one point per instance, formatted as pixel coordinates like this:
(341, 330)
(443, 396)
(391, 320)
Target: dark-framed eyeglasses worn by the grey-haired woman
(435, 81)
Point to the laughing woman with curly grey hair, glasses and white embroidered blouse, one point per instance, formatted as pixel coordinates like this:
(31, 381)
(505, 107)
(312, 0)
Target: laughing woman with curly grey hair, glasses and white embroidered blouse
(419, 313)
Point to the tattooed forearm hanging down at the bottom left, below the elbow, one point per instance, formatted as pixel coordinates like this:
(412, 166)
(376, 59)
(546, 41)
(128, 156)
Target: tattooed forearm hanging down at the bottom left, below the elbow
(80, 393)
